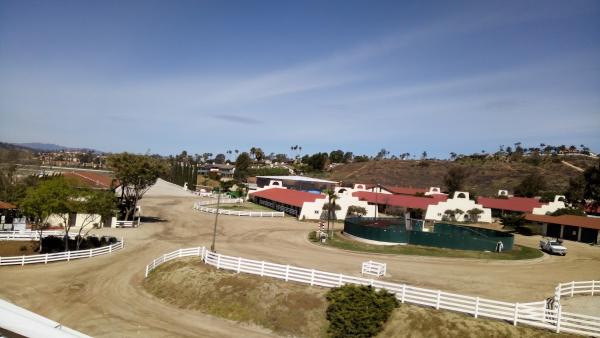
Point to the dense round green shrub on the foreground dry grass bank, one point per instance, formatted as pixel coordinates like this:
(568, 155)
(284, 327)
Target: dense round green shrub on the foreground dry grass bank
(358, 311)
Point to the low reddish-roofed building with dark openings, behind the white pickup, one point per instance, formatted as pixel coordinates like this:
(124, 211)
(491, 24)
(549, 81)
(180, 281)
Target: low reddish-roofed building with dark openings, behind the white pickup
(575, 228)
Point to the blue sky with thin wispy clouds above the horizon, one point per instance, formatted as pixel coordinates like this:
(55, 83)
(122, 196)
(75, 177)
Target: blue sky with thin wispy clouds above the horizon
(208, 76)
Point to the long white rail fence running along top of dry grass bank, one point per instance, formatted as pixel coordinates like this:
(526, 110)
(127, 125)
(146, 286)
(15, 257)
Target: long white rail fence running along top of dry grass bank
(533, 314)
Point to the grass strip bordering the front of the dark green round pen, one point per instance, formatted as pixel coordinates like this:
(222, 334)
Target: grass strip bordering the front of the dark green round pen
(342, 242)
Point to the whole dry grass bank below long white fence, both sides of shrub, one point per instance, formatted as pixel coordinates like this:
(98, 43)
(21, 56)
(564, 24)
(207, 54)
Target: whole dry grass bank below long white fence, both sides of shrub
(292, 309)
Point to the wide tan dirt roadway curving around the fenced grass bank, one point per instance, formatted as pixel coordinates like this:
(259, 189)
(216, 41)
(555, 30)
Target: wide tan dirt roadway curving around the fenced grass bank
(102, 296)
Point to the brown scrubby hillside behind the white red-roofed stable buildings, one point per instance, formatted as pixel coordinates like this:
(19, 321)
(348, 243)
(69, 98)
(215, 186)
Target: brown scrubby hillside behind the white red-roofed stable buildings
(484, 177)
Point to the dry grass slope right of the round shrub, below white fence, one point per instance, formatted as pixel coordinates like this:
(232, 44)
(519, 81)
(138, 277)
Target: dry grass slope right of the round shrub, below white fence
(421, 322)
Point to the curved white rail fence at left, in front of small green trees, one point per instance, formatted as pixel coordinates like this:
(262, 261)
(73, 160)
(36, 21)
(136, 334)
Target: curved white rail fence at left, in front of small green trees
(61, 256)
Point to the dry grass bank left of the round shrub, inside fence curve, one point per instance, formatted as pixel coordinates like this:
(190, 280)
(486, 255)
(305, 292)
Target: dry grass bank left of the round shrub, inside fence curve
(286, 308)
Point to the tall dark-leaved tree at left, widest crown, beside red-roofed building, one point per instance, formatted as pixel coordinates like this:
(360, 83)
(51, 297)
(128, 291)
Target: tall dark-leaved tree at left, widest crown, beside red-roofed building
(136, 174)
